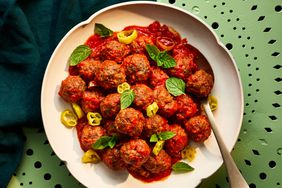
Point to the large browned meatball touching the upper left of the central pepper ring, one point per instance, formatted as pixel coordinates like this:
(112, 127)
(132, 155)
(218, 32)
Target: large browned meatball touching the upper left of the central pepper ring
(110, 75)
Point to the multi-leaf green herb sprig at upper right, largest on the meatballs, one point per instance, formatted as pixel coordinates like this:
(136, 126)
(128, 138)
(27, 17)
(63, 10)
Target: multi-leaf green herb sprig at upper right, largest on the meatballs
(162, 58)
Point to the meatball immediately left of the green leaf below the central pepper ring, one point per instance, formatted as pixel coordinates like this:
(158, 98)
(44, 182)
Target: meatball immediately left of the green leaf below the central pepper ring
(110, 105)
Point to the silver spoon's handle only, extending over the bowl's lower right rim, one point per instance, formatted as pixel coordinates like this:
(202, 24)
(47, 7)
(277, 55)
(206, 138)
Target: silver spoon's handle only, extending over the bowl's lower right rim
(236, 180)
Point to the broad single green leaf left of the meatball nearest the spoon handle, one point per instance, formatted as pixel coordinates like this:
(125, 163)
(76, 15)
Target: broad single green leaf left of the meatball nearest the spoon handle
(175, 86)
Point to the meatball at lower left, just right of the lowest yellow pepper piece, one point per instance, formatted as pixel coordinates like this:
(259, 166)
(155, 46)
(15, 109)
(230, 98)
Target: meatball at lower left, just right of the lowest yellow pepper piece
(112, 158)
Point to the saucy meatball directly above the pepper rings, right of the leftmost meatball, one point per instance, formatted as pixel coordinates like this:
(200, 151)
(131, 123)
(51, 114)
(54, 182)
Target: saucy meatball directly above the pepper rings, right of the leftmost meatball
(91, 100)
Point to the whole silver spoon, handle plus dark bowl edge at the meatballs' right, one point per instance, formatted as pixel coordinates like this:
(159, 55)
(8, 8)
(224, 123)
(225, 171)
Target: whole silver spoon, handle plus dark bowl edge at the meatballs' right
(236, 180)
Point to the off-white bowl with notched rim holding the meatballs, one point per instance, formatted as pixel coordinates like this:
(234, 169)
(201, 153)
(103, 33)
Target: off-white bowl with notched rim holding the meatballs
(227, 89)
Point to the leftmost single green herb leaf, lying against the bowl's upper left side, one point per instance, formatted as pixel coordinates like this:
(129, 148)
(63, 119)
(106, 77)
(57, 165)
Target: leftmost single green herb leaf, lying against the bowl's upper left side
(79, 54)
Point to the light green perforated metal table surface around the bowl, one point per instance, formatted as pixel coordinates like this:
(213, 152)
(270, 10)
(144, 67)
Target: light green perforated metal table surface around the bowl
(252, 31)
